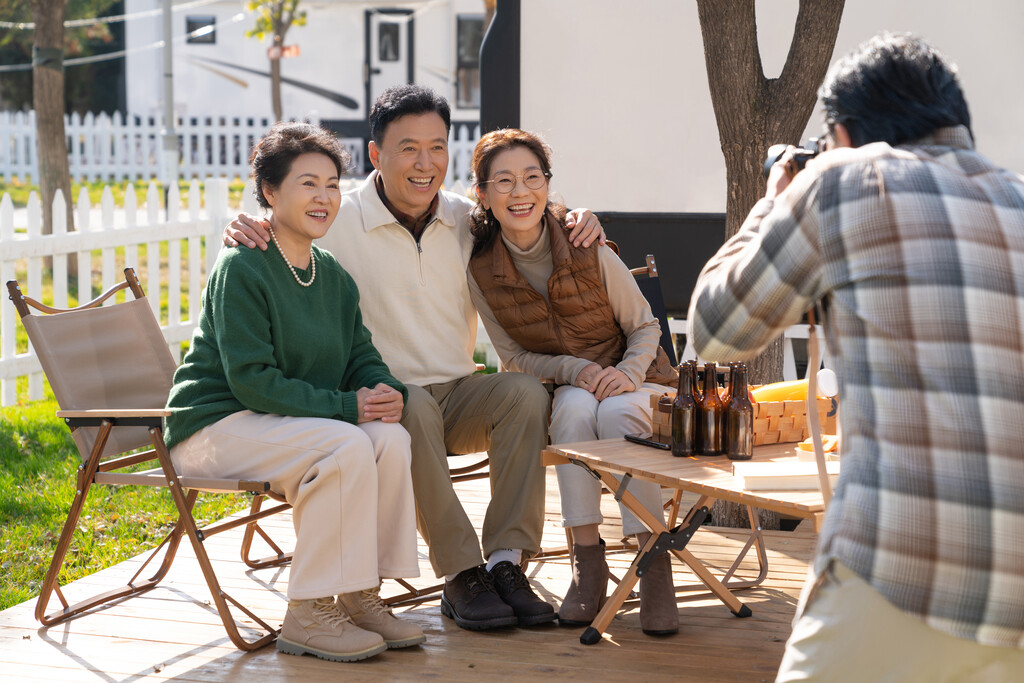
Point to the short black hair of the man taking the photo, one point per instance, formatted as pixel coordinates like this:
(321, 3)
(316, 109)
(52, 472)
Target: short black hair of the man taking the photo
(894, 89)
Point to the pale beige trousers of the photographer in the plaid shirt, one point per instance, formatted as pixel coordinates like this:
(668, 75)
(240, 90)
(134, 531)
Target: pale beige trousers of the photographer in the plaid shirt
(846, 631)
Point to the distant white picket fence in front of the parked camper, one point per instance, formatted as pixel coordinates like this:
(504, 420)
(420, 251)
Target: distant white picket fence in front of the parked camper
(117, 148)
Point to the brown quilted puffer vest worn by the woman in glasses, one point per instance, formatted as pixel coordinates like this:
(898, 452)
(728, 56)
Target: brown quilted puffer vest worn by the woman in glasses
(577, 319)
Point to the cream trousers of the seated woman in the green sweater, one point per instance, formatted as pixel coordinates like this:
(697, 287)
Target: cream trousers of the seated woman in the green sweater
(350, 487)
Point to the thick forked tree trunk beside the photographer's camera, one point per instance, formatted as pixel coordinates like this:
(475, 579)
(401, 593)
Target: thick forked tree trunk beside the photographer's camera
(754, 113)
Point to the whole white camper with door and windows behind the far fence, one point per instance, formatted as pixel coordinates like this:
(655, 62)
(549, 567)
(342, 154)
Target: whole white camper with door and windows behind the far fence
(333, 68)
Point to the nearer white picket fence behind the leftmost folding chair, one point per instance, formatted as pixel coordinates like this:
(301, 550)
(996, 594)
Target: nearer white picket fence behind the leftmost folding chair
(180, 241)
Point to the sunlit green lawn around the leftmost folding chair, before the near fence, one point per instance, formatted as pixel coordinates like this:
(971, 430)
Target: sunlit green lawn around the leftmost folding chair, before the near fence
(38, 463)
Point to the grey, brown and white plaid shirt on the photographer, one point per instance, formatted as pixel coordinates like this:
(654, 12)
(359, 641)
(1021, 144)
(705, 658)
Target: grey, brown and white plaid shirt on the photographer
(919, 253)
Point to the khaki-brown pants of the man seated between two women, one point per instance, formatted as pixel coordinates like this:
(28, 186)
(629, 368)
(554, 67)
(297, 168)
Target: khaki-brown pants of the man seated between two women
(505, 414)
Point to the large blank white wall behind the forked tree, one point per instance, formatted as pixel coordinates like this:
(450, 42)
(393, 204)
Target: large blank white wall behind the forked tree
(620, 90)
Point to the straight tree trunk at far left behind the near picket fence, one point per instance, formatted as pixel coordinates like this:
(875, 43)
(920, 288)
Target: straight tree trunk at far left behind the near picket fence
(49, 101)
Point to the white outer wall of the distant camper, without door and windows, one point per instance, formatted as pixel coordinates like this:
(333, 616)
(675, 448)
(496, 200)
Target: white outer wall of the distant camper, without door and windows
(332, 57)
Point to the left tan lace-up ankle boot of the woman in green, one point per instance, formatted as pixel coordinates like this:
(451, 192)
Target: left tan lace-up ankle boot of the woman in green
(316, 627)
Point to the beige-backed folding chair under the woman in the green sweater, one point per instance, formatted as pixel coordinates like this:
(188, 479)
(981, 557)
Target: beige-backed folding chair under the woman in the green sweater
(111, 372)
